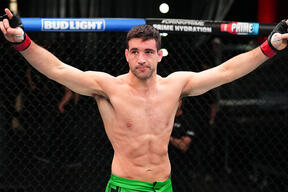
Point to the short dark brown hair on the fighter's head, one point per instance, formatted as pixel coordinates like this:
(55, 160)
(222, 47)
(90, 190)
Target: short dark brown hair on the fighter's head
(144, 32)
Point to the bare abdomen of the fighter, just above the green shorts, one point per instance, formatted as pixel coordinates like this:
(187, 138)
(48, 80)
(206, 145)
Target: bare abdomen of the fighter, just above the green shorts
(142, 158)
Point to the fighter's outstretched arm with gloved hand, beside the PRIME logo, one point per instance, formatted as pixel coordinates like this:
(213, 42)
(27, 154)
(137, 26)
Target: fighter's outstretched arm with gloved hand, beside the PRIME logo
(236, 67)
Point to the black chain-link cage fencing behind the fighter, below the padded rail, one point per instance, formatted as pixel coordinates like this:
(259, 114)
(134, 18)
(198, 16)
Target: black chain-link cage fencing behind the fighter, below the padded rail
(52, 139)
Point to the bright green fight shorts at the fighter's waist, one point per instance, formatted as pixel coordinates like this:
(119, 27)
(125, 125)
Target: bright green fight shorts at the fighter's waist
(120, 184)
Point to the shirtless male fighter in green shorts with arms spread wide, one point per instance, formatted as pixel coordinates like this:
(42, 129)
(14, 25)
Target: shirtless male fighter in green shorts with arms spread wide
(138, 108)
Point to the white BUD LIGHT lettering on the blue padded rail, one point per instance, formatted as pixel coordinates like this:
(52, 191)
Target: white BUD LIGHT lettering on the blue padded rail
(50, 24)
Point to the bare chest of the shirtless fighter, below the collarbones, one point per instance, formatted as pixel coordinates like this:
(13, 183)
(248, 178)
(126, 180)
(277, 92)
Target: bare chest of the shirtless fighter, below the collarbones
(144, 113)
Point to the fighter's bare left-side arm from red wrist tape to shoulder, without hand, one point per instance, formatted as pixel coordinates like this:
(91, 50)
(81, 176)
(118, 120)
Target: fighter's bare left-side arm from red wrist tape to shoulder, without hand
(86, 83)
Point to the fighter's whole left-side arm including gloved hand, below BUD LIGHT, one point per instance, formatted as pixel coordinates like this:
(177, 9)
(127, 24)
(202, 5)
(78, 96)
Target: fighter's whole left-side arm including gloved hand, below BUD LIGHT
(85, 83)
